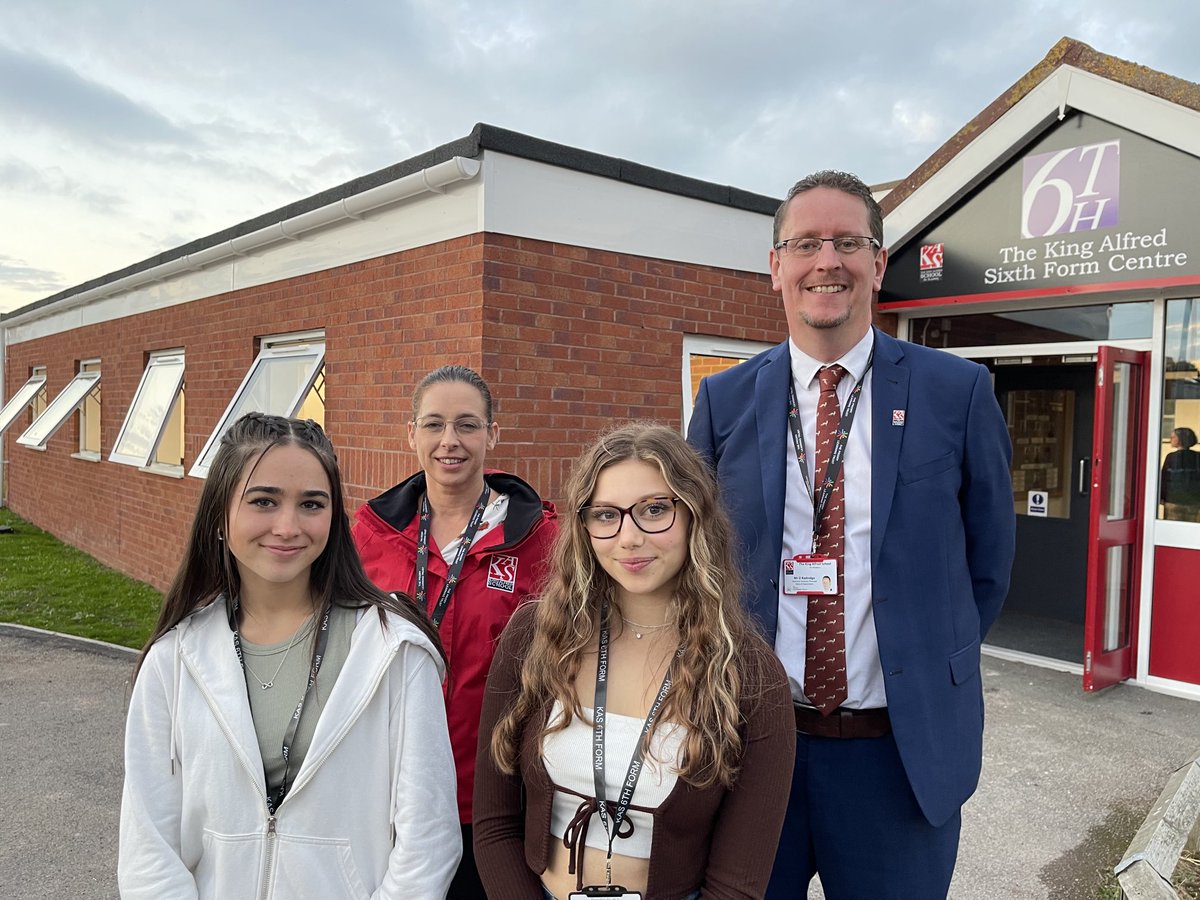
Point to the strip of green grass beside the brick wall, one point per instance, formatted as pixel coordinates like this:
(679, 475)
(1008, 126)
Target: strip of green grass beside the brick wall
(49, 585)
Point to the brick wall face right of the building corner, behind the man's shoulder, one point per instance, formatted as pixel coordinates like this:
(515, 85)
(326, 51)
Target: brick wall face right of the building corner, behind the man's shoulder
(578, 340)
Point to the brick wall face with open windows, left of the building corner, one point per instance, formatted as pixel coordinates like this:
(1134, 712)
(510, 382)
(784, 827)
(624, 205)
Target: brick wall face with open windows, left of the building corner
(383, 319)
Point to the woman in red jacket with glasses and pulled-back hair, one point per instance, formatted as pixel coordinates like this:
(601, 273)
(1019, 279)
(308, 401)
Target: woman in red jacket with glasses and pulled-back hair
(469, 544)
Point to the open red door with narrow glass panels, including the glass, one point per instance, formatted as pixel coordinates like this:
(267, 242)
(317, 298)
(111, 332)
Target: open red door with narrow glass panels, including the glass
(1114, 556)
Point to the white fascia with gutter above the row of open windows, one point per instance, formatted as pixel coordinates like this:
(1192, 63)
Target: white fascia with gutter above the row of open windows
(431, 206)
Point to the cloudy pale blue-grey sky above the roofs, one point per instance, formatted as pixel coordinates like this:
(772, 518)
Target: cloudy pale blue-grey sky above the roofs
(130, 128)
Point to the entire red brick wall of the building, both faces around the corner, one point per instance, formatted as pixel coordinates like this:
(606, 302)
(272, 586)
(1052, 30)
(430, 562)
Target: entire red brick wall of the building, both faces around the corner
(571, 340)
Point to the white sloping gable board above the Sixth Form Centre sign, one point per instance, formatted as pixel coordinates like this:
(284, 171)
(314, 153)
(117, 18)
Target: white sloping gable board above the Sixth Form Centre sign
(1066, 88)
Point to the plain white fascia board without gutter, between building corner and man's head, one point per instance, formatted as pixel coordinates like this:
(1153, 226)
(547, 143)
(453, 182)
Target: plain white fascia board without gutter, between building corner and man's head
(545, 202)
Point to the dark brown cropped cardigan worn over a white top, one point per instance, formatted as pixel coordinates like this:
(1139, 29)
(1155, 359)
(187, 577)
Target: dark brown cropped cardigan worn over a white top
(721, 841)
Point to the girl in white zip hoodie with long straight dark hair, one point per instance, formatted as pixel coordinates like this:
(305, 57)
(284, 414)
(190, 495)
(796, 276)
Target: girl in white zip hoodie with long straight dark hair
(286, 735)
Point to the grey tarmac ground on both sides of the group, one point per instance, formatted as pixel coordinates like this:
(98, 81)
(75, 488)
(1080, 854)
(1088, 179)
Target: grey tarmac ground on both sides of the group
(1067, 777)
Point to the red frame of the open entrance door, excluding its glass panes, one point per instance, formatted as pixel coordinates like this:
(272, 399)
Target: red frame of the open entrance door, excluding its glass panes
(1102, 668)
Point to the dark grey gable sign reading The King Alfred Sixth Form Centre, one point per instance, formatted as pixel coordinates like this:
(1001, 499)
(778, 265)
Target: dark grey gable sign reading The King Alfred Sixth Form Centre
(1061, 217)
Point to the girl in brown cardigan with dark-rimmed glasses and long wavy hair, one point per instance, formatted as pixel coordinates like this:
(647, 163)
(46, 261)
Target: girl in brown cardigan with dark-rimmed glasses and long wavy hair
(635, 730)
